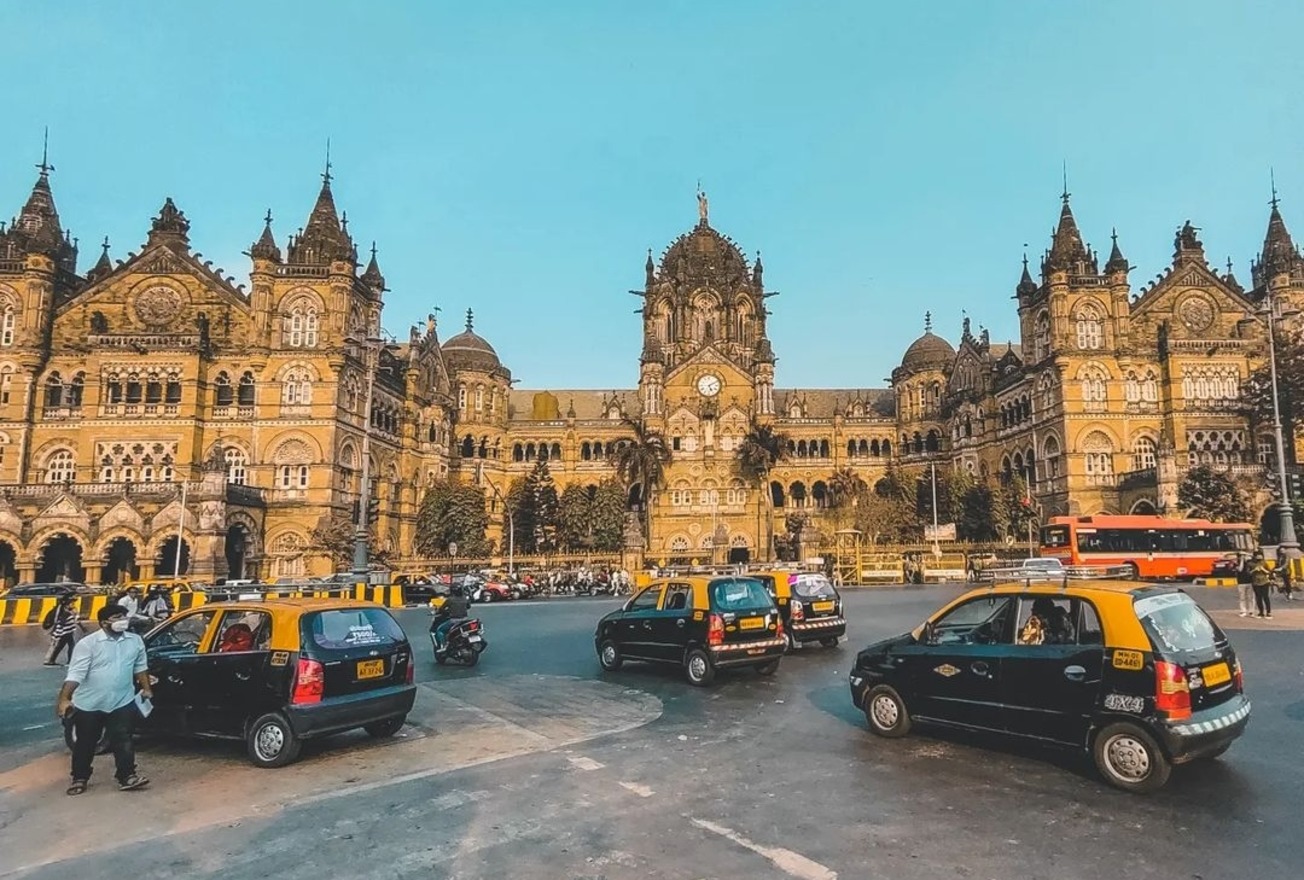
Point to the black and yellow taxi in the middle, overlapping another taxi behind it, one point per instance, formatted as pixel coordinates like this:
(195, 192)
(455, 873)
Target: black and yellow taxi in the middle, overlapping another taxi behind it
(700, 624)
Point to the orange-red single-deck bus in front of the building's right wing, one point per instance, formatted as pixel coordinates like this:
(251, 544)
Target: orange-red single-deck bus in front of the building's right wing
(1152, 547)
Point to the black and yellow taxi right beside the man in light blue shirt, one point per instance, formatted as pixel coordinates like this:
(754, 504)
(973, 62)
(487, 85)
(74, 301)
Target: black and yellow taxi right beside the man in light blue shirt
(277, 673)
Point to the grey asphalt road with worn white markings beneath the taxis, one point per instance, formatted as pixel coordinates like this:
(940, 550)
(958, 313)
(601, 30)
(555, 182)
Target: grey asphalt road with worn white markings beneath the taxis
(535, 763)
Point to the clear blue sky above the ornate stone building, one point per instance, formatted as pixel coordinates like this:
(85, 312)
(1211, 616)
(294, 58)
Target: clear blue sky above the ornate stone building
(521, 158)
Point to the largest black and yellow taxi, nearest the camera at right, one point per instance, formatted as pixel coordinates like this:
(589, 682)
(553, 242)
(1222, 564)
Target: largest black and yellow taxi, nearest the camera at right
(1138, 676)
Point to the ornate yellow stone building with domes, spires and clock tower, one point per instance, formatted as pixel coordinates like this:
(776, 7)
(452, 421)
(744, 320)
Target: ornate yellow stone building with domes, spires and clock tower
(153, 411)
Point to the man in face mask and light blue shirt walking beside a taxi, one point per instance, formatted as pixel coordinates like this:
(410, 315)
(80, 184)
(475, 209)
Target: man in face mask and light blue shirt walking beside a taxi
(106, 671)
